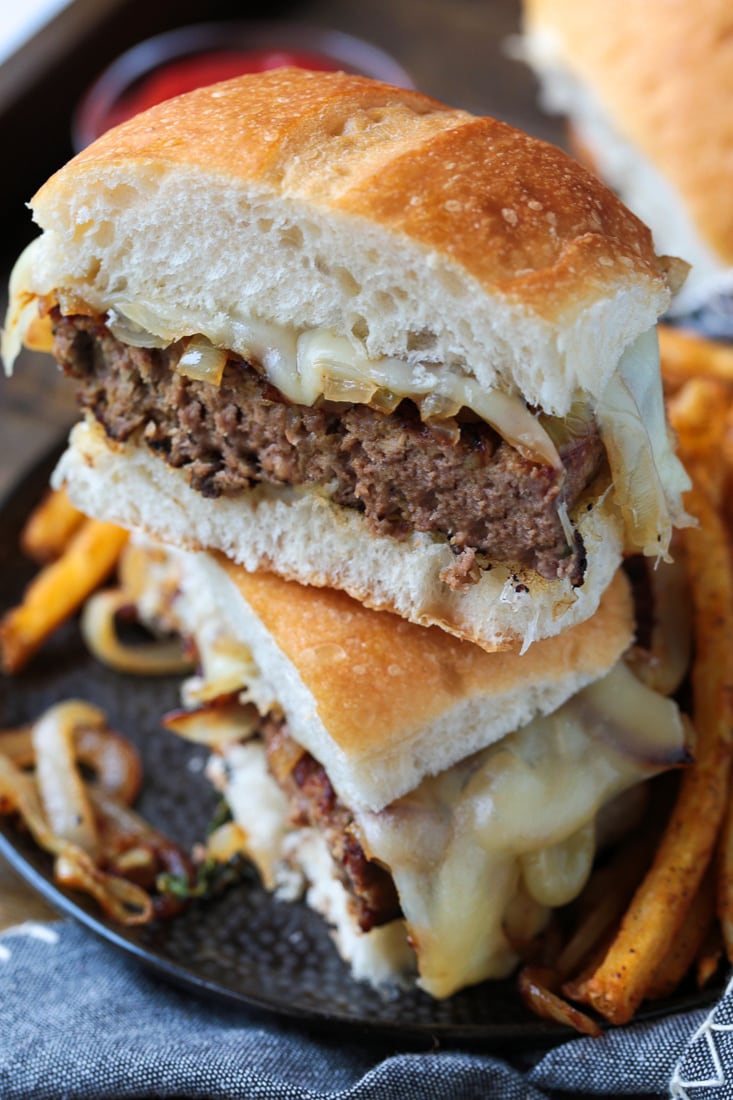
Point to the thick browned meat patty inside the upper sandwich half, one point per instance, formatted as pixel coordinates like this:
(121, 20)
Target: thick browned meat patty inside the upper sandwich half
(476, 491)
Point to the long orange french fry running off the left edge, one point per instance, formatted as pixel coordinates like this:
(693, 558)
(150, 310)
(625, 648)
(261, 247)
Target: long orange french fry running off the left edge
(58, 591)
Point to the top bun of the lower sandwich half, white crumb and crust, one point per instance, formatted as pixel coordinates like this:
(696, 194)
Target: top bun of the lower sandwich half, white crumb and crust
(380, 702)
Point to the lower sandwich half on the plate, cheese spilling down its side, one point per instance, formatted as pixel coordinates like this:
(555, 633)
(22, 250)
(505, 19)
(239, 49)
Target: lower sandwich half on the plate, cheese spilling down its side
(436, 801)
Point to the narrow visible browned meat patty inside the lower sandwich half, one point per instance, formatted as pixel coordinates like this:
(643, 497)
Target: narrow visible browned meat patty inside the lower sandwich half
(314, 802)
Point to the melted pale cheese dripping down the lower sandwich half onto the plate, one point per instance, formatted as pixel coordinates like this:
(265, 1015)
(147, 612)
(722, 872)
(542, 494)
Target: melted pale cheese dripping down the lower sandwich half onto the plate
(480, 852)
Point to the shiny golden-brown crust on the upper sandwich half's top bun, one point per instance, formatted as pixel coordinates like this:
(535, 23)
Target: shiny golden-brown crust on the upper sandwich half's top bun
(442, 178)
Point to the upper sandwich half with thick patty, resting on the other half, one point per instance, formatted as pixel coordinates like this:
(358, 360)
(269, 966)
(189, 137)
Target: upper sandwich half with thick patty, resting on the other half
(344, 333)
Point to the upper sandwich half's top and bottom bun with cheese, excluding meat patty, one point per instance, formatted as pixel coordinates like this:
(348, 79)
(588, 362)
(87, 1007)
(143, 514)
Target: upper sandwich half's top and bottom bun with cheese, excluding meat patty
(358, 241)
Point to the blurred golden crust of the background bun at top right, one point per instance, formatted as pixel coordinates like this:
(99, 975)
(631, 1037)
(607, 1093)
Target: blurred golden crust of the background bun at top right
(664, 73)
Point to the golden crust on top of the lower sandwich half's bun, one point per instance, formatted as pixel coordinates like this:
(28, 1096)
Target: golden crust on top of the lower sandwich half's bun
(376, 678)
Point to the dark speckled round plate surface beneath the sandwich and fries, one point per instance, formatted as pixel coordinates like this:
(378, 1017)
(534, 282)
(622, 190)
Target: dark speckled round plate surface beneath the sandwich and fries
(244, 948)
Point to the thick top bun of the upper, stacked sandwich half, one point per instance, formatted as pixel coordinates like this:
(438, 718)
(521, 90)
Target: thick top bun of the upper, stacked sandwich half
(327, 201)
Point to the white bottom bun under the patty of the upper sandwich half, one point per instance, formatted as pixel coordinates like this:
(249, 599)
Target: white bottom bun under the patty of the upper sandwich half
(304, 537)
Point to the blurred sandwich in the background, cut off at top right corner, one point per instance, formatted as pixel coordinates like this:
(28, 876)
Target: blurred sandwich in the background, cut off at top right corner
(648, 91)
